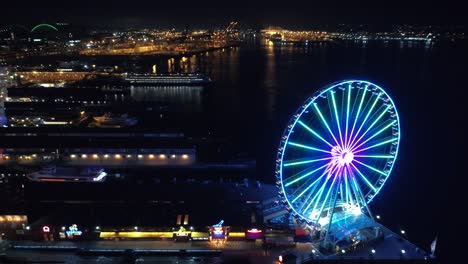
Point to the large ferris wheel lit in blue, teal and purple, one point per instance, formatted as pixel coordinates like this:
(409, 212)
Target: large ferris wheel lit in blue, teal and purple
(337, 151)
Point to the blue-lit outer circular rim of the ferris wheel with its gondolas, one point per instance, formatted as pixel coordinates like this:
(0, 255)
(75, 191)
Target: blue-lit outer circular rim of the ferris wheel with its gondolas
(297, 116)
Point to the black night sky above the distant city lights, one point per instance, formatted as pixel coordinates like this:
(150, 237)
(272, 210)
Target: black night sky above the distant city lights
(306, 14)
